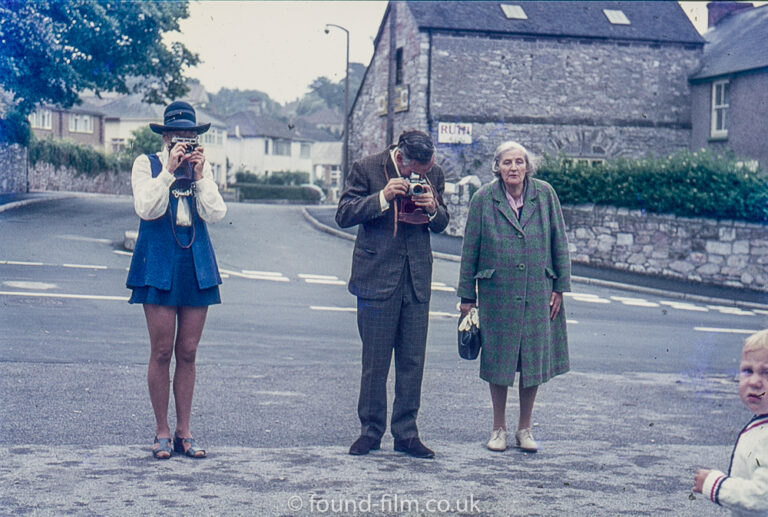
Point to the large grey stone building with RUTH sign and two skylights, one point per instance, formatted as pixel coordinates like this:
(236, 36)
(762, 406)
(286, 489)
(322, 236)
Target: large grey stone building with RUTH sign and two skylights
(591, 80)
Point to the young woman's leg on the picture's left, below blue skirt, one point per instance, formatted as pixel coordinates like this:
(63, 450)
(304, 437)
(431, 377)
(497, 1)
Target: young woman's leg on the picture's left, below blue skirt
(161, 322)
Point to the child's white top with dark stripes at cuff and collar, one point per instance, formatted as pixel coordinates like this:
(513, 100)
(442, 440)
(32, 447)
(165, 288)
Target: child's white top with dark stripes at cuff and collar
(744, 490)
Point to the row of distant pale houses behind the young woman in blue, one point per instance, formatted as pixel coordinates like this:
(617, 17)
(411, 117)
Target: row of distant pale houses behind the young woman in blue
(246, 141)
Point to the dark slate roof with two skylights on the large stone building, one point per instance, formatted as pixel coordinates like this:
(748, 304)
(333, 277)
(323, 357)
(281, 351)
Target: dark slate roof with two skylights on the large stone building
(655, 21)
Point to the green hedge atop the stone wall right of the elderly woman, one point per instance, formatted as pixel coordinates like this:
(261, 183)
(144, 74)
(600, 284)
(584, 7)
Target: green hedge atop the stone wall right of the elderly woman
(688, 184)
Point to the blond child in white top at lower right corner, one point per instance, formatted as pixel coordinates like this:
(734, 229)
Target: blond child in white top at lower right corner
(744, 490)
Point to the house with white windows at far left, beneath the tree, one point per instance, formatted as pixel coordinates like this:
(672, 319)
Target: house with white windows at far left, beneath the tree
(83, 124)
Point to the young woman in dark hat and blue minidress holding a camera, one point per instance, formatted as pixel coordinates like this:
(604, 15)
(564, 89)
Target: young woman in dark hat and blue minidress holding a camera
(173, 272)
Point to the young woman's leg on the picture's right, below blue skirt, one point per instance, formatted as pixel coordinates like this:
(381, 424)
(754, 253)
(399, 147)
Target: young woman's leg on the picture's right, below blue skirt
(191, 322)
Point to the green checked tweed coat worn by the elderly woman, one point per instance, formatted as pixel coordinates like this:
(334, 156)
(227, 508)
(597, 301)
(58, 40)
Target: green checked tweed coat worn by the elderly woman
(516, 265)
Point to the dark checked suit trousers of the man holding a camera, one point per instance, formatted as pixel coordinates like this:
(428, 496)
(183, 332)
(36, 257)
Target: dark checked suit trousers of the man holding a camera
(397, 324)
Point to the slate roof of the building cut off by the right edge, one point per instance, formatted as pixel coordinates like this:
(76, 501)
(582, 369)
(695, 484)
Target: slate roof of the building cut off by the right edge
(737, 44)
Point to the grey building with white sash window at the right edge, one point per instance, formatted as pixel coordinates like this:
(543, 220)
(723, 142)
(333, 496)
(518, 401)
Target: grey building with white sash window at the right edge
(728, 92)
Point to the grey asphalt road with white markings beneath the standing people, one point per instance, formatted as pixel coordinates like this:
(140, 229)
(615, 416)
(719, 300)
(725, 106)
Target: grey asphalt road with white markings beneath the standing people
(278, 377)
